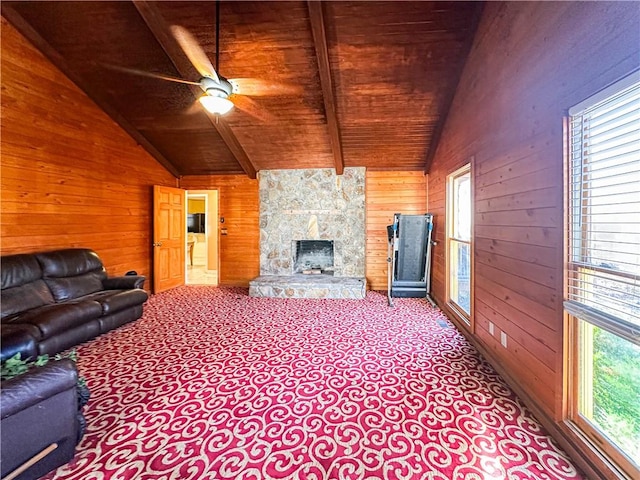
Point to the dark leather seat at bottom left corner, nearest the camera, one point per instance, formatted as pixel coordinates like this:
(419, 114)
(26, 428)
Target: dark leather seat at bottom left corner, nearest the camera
(39, 413)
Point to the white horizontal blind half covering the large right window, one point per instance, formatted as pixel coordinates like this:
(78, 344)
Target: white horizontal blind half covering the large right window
(604, 210)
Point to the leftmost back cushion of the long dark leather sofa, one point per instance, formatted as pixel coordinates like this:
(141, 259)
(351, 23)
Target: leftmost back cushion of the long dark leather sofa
(22, 285)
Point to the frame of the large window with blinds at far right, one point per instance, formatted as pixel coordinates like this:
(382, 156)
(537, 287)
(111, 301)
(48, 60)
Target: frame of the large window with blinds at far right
(581, 319)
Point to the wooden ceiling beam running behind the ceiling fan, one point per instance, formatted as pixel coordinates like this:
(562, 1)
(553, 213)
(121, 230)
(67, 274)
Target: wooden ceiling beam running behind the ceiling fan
(158, 27)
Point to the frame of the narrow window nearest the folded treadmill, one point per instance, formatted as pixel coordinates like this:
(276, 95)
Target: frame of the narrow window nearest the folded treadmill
(457, 310)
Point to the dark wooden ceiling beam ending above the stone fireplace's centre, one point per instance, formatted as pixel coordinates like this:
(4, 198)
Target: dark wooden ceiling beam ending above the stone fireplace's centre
(324, 68)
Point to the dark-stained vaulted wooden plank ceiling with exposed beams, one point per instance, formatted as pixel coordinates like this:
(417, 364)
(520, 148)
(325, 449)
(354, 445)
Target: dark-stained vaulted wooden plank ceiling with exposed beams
(321, 85)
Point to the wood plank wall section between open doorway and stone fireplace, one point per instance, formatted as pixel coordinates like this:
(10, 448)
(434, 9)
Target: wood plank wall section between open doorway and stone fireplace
(238, 203)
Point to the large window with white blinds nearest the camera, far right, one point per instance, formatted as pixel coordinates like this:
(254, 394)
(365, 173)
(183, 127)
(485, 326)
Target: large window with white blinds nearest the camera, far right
(603, 270)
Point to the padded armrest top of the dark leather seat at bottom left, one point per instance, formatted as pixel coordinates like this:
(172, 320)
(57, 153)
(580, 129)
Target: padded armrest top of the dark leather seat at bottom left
(40, 383)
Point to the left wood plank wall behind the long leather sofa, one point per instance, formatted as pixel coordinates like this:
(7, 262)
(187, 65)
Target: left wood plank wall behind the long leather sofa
(70, 176)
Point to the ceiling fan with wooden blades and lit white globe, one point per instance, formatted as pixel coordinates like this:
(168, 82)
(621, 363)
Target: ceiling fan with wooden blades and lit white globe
(220, 94)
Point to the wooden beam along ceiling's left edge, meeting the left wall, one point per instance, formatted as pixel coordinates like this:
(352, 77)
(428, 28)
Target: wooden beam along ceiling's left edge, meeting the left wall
(52, 54)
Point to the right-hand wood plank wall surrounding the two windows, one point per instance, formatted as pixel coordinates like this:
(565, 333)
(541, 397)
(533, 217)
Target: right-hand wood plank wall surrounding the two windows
(530, 62)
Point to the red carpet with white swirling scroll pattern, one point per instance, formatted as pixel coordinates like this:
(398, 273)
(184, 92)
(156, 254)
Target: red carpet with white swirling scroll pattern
(213, 384)
